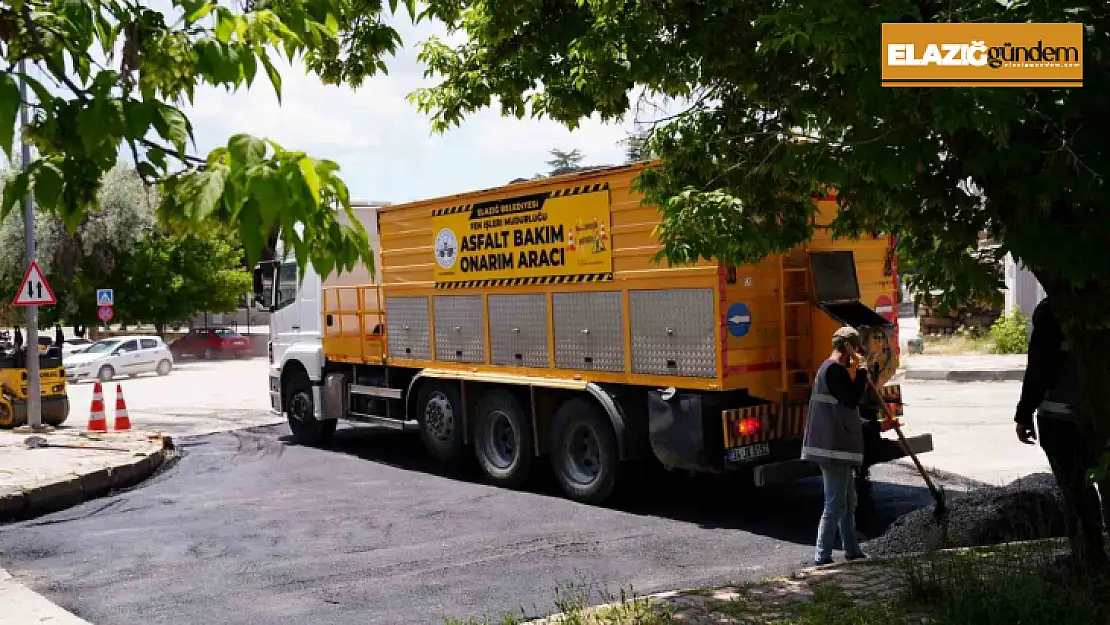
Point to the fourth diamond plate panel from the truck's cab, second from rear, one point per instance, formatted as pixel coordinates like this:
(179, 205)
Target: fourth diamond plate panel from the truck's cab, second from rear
(589, 331)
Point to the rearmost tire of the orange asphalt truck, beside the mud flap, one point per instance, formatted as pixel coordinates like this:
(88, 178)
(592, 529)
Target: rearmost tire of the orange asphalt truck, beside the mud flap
(584, 451)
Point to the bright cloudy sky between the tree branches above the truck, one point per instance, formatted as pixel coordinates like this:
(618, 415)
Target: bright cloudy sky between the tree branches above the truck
(386, 148)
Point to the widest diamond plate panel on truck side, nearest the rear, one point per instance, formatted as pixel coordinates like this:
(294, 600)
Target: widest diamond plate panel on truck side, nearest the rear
(674, 332)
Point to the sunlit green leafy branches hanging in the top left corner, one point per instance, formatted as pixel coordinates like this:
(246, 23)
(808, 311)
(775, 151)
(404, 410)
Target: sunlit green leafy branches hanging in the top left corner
(124, 70)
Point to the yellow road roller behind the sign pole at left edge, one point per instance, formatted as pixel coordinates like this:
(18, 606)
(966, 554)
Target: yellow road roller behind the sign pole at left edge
(14, 389)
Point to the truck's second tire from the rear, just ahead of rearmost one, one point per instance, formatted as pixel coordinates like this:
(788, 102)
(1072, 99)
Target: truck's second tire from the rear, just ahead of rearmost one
(503, 440)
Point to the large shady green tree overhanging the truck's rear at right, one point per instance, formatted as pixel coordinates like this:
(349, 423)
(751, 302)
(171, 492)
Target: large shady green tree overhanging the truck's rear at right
(786, 103)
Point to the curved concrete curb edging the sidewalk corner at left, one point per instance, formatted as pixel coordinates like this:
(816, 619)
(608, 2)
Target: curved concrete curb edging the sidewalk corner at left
(18, 505)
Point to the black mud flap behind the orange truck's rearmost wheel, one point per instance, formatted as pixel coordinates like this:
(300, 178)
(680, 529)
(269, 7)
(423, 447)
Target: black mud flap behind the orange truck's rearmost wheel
(677, 432)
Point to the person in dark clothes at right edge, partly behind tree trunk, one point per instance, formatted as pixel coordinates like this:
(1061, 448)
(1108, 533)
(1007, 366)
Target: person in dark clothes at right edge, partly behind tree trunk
(1051, 388)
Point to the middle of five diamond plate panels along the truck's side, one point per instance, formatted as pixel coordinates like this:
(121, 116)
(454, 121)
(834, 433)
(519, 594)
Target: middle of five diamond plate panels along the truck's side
(519, 330)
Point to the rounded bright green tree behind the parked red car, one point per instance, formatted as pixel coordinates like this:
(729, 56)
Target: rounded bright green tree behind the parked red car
(174, 276)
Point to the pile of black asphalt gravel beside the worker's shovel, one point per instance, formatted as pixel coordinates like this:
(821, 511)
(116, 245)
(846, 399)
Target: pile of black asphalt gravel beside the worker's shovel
(1027, 509)
